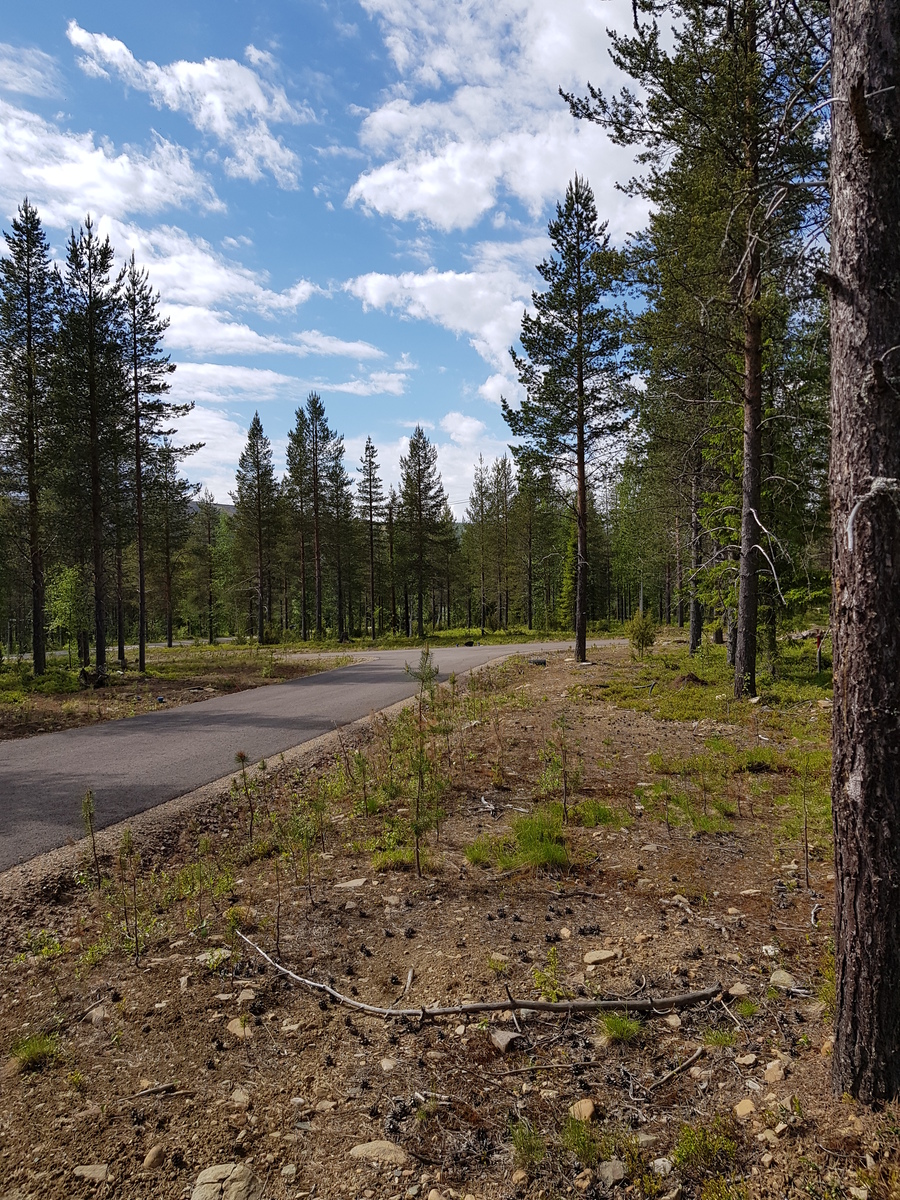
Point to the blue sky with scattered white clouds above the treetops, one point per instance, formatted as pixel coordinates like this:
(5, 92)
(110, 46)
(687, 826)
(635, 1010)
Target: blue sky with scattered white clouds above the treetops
(349, 196)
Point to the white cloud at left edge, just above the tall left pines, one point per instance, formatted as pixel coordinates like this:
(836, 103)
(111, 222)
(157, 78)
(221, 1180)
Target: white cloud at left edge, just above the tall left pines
(68, 175)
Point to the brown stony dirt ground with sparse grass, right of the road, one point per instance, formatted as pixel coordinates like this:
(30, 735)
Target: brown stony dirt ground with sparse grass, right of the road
(202, 1054)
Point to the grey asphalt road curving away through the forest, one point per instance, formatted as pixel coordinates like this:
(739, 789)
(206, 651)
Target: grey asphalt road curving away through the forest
(136, 764)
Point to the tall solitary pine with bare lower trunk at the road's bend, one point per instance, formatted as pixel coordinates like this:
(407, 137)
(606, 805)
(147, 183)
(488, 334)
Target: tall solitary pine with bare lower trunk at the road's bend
(569, 371)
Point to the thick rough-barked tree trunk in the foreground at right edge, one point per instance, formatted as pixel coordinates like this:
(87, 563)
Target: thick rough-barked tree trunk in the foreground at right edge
(866, 523)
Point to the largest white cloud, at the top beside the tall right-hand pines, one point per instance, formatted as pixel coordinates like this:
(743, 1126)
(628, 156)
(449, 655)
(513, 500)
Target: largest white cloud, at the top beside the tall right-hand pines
(477, 110)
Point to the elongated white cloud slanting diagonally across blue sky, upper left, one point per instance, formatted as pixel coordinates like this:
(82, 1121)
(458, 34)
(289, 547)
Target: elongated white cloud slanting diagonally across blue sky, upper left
(221, 98)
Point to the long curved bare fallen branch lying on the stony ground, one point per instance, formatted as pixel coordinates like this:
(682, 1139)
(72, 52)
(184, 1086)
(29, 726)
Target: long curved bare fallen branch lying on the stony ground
(655, 1007)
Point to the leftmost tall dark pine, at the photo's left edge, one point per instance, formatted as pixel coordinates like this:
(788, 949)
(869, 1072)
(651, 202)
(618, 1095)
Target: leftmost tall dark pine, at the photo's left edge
(28, 319)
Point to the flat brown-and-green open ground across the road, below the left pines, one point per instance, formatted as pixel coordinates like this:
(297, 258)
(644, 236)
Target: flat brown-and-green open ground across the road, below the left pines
(182, 676)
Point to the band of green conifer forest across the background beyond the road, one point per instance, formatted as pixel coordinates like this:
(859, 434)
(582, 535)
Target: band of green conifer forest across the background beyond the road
(105, 543)
